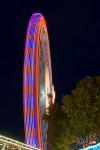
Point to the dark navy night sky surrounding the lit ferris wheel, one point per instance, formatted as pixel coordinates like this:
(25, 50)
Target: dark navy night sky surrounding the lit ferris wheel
(74, 33)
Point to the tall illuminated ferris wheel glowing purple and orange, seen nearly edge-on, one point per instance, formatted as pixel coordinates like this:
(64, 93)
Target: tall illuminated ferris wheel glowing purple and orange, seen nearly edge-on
(37, 82)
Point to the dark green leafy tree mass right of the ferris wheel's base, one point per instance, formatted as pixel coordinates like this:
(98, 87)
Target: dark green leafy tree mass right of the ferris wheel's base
(79, 115)
